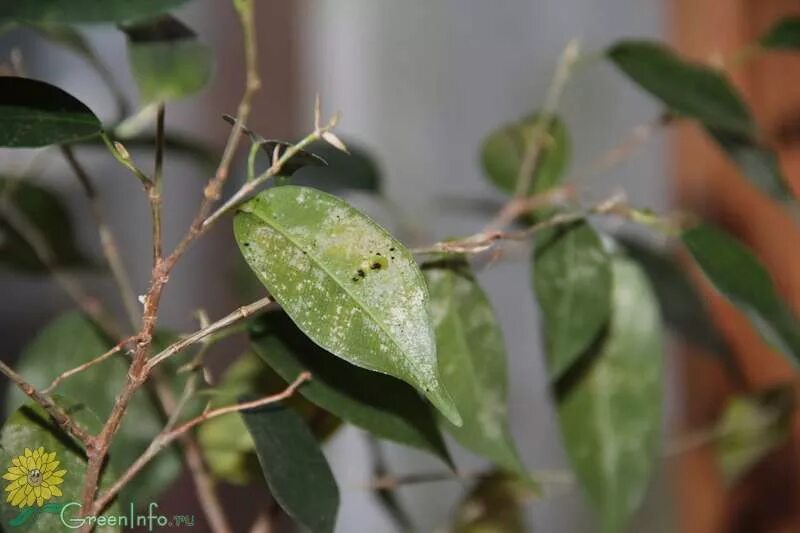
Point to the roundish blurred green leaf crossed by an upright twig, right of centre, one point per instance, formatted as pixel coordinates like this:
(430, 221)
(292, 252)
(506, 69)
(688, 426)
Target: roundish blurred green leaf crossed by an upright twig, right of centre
(504, 151)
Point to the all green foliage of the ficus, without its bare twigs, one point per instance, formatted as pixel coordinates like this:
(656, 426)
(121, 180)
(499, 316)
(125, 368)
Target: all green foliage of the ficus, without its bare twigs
(403, 351)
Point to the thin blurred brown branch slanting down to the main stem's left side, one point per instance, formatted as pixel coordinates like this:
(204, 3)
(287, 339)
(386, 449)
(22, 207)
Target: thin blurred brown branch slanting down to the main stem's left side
(107, 240)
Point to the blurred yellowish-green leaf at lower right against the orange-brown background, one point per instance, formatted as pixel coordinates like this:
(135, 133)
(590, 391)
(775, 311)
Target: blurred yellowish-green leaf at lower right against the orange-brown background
(750, 428)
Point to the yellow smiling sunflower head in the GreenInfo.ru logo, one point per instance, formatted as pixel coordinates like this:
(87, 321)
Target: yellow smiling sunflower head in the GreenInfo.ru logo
(34, 478)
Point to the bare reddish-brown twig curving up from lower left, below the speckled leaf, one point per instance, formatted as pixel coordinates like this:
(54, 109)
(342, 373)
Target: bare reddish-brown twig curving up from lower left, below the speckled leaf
(164, 439)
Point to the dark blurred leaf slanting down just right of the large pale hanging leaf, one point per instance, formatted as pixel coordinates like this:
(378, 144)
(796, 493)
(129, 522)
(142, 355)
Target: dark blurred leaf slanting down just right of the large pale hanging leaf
(682, 307)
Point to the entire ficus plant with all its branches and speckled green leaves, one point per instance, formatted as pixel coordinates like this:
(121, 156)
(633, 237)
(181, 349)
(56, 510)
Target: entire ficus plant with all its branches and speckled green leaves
(350, 325)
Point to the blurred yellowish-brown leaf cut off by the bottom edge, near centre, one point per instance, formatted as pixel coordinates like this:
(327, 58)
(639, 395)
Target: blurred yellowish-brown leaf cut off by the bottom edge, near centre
(493, 505)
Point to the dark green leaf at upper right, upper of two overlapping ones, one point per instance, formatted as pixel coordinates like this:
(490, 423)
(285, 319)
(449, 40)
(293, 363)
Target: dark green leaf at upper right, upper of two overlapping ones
(689, 89)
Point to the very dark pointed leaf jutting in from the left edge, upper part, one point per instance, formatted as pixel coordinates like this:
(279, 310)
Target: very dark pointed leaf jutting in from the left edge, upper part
(34, 113)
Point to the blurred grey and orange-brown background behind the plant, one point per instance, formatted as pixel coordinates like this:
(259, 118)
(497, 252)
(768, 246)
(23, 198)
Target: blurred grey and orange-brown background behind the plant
(419, 84)
